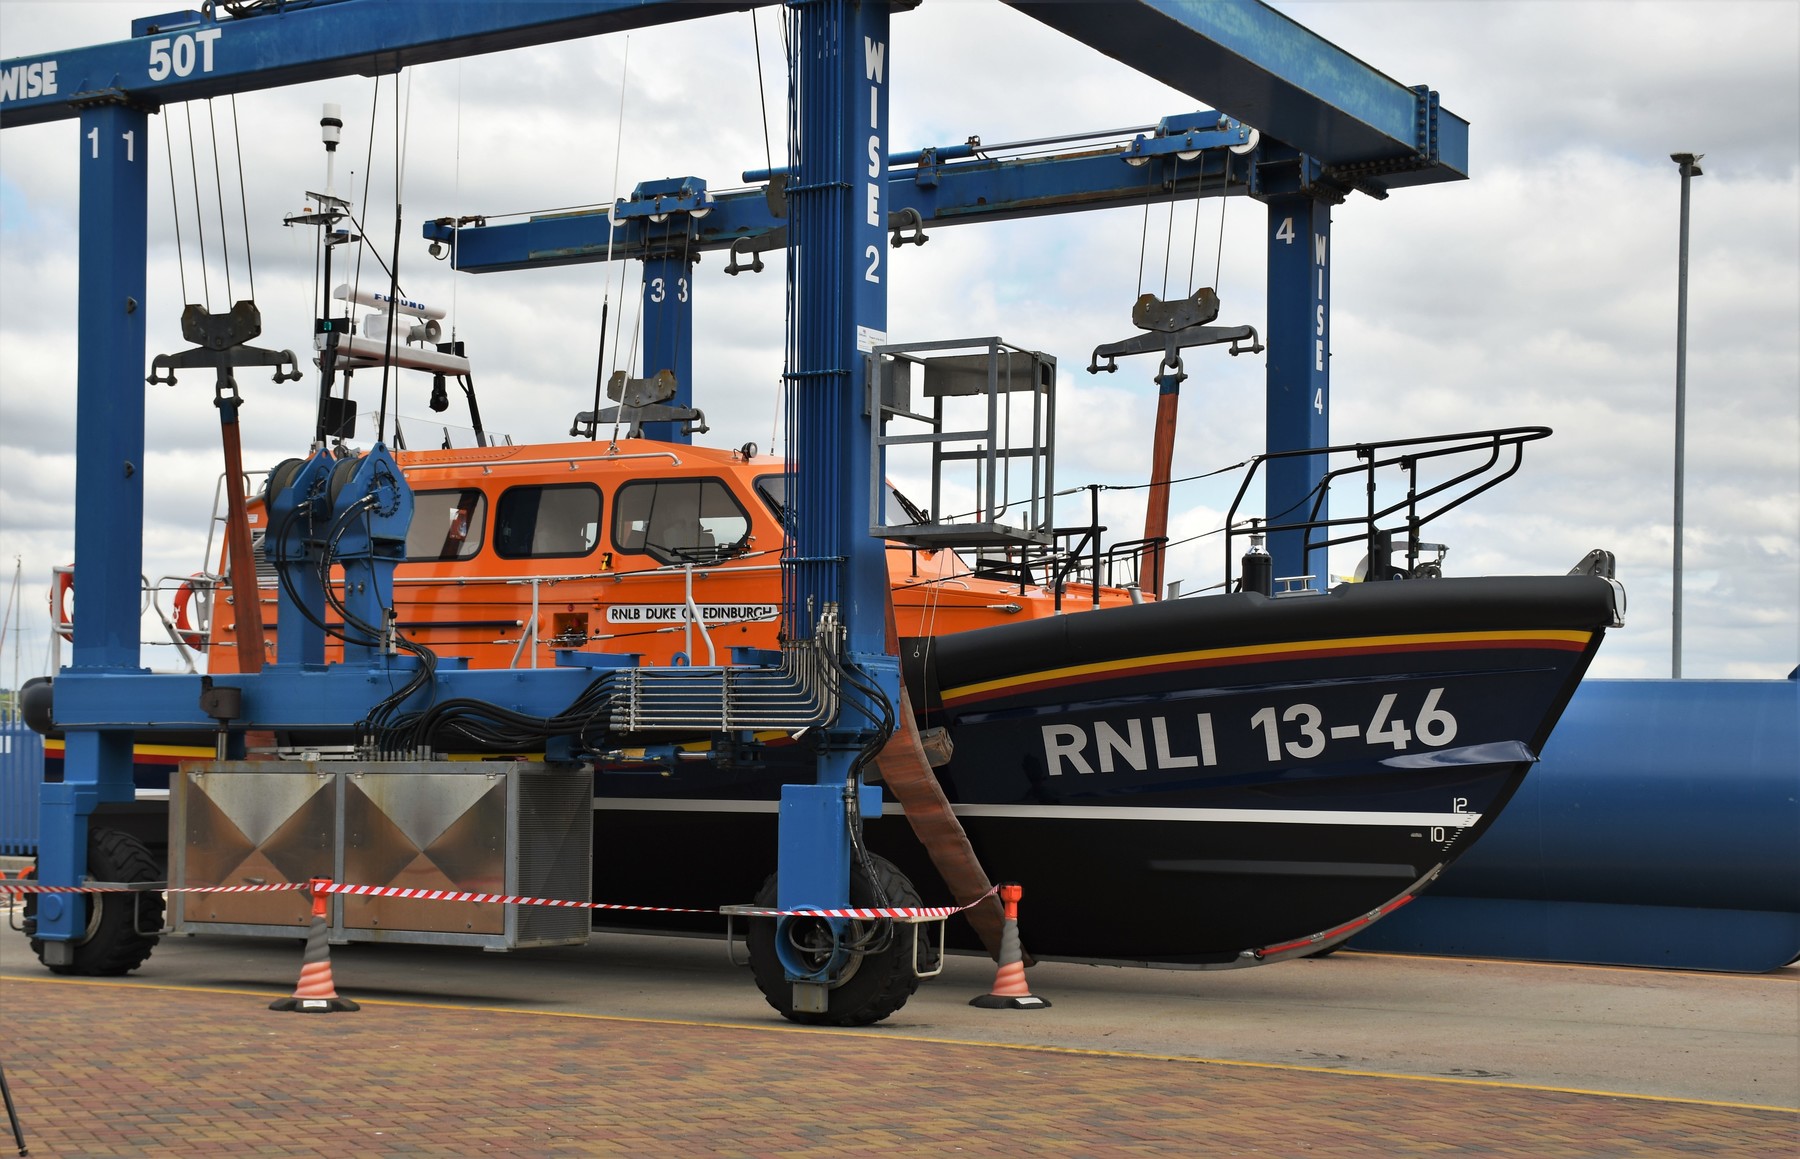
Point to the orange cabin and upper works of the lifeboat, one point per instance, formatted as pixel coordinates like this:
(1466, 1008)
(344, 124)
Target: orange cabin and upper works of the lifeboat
(667, 552)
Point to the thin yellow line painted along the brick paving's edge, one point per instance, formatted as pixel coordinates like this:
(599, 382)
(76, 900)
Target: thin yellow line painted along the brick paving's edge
(890, 1036)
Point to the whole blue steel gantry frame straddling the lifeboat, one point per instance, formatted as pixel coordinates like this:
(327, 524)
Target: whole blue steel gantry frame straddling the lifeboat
(1300, 127)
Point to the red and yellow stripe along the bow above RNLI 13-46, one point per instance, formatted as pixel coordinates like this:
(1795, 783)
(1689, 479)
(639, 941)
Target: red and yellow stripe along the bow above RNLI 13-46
(1261, 654)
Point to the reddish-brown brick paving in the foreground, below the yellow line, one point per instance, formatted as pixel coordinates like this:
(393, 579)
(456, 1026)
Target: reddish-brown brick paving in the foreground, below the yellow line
(134, 1070)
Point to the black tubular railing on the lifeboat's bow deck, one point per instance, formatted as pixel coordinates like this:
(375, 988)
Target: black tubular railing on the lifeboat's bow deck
(1387, 526)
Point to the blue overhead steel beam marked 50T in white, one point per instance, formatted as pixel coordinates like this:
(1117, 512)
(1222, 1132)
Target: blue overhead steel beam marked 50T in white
(177, 58)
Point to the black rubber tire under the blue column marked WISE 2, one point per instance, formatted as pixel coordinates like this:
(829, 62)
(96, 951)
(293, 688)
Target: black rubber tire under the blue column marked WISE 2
(876, 985)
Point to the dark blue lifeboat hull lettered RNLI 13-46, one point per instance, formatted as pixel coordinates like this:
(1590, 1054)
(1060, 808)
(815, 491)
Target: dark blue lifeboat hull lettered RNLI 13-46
(1207, 784)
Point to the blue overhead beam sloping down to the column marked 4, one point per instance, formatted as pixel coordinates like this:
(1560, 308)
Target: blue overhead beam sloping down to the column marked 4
(1268, 71)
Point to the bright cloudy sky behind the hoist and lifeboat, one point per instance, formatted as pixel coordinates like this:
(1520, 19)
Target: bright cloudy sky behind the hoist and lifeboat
(1543, 291)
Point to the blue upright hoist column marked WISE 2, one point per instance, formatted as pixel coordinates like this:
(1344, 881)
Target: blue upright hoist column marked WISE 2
(838, 312)
